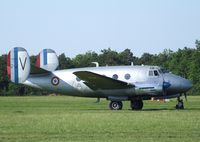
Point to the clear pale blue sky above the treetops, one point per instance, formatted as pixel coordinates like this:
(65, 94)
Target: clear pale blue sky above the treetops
(77, 26)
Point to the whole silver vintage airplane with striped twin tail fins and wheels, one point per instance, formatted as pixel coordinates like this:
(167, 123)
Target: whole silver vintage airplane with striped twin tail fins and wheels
(115, 83)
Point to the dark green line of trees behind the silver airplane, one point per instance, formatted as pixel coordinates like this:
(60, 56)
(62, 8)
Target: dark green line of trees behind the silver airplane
(184, 62)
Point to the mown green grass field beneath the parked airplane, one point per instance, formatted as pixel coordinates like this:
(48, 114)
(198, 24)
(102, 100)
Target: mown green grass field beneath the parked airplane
(61, 118)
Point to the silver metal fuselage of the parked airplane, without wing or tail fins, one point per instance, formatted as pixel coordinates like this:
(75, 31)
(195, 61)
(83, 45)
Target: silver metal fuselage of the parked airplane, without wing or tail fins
(146, 84)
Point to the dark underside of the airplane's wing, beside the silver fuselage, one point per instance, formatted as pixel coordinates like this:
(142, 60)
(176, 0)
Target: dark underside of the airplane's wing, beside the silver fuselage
(97, 81)
